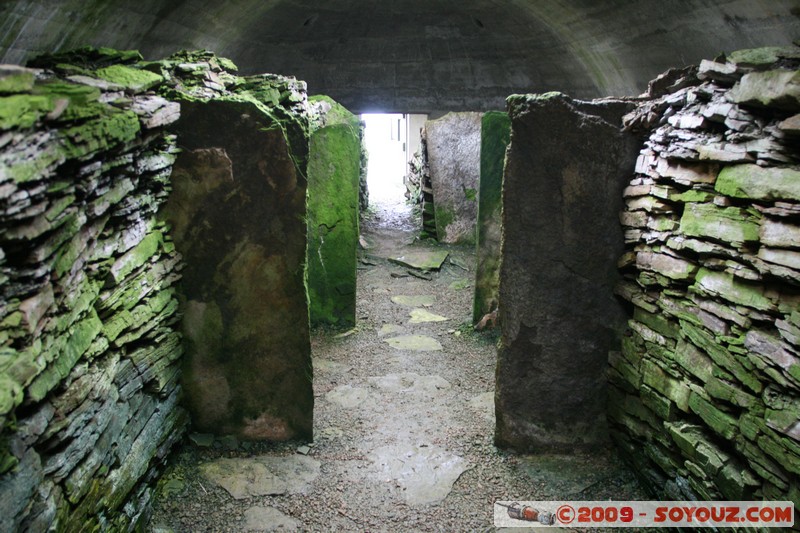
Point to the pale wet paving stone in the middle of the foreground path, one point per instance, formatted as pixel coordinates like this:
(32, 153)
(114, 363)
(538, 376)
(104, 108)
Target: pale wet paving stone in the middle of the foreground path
(425, 474)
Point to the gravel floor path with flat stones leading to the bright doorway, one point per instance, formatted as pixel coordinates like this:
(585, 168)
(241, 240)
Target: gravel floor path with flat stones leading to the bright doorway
(403, 437)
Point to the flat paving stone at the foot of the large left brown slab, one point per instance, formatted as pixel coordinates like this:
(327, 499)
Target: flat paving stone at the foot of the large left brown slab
(262, 475)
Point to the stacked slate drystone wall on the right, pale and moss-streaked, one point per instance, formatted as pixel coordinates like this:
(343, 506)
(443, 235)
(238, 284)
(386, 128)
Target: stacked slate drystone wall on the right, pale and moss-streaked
(706, 389)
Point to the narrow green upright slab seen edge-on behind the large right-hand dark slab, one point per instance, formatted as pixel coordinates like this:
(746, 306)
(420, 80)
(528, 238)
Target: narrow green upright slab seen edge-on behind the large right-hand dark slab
(495, 136)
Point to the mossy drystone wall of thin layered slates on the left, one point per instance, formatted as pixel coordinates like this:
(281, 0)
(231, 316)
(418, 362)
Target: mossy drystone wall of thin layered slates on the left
(89, 346)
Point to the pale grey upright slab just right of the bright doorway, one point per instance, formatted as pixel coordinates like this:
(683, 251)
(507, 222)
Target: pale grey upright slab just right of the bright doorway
(454, 143)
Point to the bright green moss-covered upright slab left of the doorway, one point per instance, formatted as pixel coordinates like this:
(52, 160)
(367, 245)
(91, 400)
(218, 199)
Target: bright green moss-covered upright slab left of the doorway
(333, 206)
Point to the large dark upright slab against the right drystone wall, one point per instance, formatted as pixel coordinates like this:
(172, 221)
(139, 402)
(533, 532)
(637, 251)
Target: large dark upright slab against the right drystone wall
(562, 191)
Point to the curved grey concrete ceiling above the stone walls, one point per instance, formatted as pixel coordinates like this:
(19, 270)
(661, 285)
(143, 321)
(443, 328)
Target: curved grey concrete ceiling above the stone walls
(417, 55)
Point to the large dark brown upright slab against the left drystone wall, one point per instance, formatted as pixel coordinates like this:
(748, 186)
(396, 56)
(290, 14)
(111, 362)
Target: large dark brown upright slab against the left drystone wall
(237, 214)
